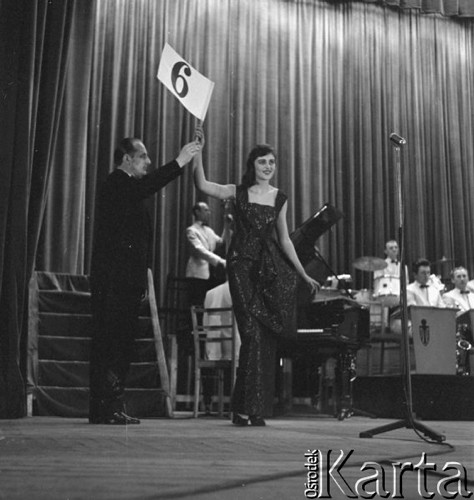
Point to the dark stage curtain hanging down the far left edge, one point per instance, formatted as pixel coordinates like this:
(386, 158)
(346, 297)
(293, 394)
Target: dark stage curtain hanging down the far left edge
(33, 60)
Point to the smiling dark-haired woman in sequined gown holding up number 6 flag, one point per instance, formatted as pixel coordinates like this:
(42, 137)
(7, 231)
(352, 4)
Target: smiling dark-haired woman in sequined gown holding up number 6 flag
(262, 267)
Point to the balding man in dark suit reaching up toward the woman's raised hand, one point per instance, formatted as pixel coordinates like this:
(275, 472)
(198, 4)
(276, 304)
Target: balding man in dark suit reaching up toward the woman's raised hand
(119, 271)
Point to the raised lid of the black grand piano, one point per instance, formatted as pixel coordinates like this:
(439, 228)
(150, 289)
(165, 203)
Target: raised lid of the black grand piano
(304, 237)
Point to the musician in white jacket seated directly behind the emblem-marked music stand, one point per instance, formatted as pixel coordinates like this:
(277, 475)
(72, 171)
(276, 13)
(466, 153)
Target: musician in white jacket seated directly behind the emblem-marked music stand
(423, 292)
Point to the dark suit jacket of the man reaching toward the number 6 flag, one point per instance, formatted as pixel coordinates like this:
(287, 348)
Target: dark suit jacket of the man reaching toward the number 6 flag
(123, 229)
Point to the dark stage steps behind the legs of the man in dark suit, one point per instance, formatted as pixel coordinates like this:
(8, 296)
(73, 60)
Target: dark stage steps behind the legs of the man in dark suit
(62, 333)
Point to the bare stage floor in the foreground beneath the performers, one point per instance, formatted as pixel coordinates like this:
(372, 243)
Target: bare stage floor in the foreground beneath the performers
(208, 458)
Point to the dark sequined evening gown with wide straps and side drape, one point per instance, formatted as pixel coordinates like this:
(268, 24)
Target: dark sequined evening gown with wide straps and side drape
(262, 283)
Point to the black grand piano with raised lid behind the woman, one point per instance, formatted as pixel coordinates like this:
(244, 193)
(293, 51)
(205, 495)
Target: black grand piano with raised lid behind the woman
(330, 325)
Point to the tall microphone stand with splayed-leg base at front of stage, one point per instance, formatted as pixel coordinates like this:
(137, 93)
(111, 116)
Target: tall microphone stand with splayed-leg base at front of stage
(409, 421)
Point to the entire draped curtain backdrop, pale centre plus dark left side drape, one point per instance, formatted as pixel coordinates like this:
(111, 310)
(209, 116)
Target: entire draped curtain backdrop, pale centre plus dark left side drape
(325, 82)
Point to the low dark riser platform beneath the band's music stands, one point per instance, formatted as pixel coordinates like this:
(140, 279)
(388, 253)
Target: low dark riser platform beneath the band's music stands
(435, 397)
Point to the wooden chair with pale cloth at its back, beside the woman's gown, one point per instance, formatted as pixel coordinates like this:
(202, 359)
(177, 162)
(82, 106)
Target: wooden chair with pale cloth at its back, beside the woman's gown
(213, 328)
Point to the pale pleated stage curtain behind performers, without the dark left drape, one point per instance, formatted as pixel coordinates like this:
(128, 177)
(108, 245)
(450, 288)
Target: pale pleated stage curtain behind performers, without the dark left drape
(324, 82)
